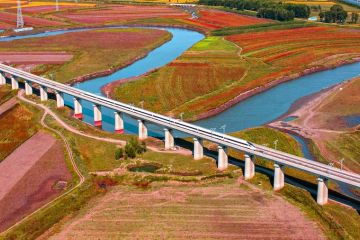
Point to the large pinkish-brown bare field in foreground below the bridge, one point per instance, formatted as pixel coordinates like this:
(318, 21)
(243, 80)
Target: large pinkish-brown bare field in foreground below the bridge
(190, 212)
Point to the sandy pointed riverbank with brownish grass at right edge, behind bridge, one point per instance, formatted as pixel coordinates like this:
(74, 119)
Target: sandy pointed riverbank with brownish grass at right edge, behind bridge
(320, 118)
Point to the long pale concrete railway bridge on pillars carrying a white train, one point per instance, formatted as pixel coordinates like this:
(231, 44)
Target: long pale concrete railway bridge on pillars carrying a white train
(224, 141)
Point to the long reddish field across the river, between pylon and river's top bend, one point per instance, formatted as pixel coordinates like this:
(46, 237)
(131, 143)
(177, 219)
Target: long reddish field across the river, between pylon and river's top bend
(122, 14)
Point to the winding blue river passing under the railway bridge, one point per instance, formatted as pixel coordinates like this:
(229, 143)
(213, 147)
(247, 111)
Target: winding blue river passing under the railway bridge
(254, 111)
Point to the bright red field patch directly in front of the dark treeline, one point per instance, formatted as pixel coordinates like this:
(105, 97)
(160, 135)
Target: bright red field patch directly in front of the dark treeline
(214, 19)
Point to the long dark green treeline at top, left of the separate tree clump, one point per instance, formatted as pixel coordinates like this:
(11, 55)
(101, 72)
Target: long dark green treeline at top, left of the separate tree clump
(265, 8)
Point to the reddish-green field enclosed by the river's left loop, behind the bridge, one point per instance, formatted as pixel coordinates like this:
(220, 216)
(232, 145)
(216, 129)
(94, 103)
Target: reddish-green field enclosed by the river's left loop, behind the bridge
(93, 51)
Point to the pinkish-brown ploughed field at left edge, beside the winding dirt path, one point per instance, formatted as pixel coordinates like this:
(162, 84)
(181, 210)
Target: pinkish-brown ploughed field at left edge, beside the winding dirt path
(28, 175)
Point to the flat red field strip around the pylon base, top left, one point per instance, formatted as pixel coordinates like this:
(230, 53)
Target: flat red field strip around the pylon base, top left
(9, 20)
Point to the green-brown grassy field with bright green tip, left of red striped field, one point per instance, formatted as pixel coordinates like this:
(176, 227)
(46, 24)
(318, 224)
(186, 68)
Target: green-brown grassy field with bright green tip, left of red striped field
(209, 66)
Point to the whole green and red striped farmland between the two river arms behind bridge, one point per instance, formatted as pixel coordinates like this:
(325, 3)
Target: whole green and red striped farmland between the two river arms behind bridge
(221, 74)
